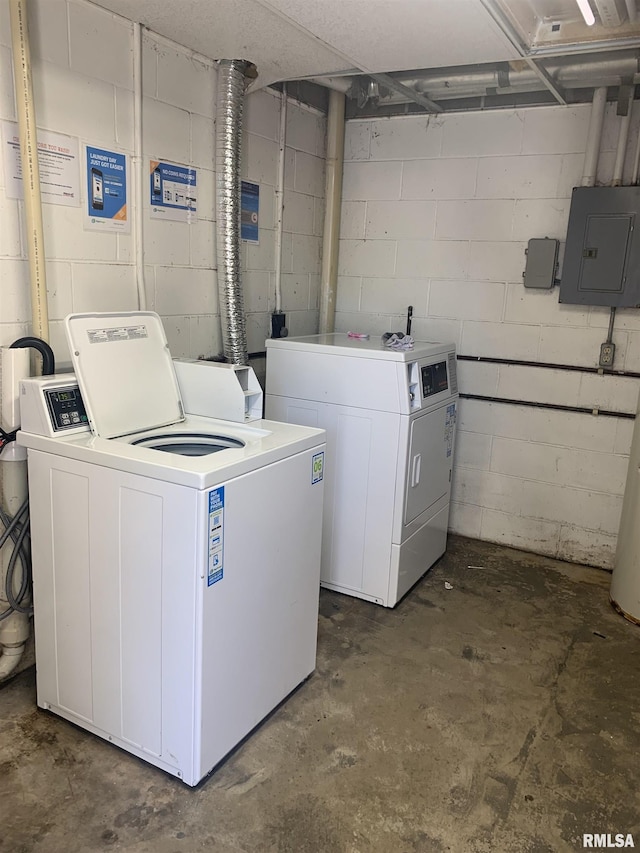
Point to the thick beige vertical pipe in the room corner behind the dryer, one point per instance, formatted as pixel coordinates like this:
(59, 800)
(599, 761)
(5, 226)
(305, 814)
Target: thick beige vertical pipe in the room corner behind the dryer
(333, 202)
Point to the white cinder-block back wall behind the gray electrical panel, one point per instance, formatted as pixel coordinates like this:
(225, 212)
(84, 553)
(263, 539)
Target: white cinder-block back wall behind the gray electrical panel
(437, 214)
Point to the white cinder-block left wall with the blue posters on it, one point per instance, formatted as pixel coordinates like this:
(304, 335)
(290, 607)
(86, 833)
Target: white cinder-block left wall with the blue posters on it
(83, 84)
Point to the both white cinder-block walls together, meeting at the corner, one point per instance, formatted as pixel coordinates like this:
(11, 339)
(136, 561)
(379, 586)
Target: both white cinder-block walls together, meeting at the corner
(436, 214)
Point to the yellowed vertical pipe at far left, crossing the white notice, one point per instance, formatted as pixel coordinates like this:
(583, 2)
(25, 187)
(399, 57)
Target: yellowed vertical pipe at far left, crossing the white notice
(30, 168)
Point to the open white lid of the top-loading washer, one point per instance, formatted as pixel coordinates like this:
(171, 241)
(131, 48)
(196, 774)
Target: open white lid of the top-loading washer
(124, 370)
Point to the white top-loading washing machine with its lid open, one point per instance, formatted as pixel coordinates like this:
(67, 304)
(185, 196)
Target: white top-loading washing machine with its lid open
(176, 558)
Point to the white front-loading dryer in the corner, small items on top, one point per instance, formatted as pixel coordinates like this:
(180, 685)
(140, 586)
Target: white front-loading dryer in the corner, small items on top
(390, 420)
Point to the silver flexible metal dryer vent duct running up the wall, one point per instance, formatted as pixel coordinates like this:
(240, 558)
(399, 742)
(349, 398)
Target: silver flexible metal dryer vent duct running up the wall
(231, 83)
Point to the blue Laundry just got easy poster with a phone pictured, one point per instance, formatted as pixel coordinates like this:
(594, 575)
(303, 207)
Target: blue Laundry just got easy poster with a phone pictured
(106, 208)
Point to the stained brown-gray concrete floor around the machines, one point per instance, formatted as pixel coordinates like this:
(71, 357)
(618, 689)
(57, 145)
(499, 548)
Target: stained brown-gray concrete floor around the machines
(500, 715)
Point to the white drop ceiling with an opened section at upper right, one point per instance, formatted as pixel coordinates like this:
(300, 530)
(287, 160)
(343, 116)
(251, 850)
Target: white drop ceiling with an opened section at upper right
(298, 39)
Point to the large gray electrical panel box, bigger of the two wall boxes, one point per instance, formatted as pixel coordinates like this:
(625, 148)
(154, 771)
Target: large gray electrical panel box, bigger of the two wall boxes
(602, 256)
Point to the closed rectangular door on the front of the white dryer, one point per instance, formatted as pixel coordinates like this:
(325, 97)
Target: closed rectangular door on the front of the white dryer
(430, 460)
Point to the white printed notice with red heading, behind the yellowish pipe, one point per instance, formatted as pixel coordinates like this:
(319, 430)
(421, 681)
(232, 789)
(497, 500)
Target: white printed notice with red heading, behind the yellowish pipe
(57, 161)
